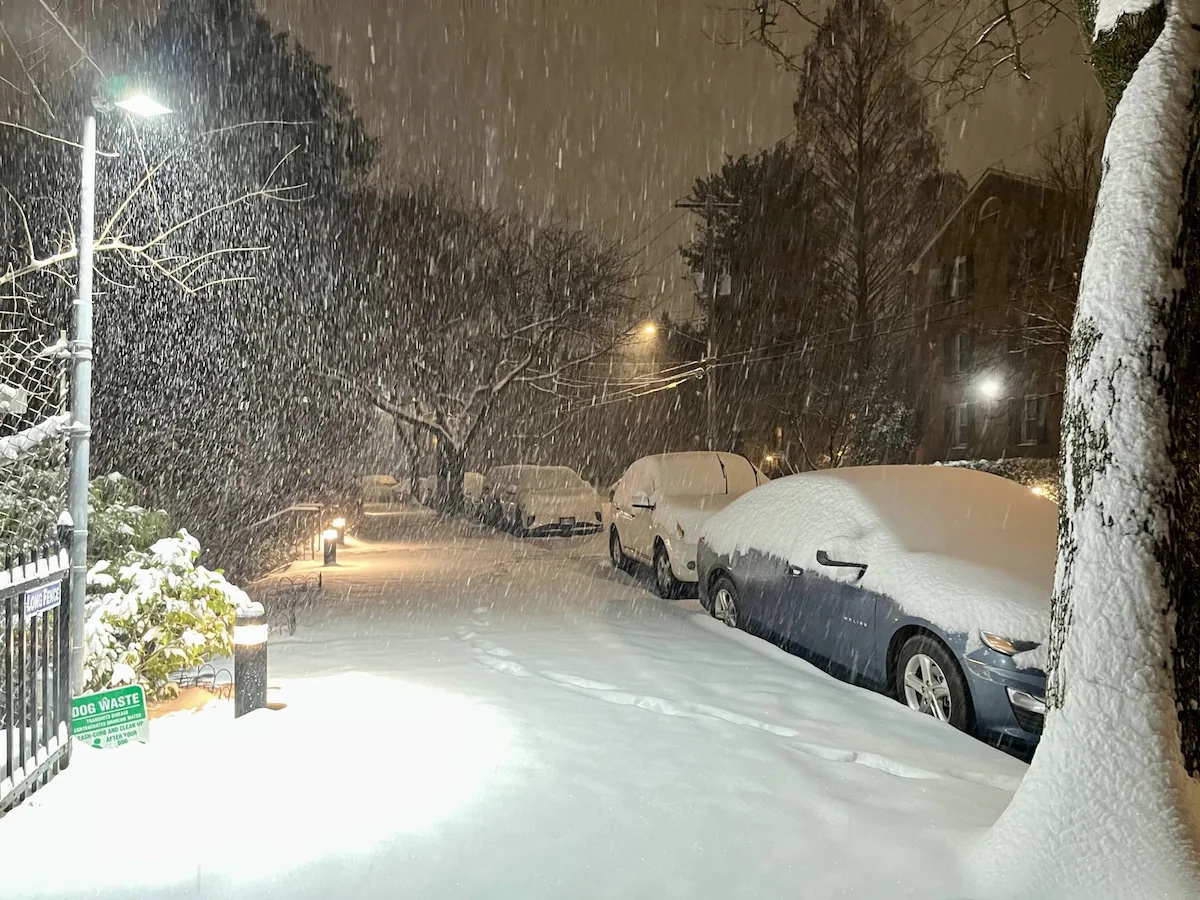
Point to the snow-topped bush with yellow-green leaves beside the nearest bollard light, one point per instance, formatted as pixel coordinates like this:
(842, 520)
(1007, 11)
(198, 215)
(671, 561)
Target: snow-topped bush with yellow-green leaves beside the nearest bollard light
(154, 614)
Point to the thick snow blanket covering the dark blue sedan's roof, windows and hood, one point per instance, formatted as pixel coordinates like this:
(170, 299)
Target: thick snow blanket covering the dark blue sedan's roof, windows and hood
(965, 550)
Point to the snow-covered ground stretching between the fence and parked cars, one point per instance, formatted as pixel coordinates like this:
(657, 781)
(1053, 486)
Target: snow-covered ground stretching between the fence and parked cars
(471, 716)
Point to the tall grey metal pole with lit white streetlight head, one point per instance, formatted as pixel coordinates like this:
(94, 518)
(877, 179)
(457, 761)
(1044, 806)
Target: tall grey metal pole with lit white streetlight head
(139, 104)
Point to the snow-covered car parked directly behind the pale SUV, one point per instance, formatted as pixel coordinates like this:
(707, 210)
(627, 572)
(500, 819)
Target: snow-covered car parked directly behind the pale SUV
(542, 500)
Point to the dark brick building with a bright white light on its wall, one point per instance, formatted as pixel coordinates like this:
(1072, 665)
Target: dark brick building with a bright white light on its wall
(992, 296)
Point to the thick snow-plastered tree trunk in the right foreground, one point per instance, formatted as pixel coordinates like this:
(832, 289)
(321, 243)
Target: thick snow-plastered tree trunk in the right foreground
(1111, 806)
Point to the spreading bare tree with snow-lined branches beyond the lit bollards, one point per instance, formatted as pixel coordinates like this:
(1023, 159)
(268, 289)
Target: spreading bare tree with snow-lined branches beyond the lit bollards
(465, 305)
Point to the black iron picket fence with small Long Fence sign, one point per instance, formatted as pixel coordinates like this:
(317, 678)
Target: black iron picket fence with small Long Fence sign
(35, 670)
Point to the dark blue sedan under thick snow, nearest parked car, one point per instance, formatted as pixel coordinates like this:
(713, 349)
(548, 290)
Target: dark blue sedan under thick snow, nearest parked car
(928, 584)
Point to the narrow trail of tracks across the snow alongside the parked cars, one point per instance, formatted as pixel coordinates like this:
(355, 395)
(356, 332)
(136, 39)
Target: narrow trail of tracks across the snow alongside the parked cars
(502, 661)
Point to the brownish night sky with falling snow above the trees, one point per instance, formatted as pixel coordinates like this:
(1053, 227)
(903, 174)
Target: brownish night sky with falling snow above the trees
(604, 112)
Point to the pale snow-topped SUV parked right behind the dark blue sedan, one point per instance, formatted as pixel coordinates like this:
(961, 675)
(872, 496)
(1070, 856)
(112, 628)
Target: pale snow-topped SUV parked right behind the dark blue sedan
(661, 505)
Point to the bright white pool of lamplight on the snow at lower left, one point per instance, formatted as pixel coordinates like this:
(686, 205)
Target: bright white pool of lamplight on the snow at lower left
(352, 763)
